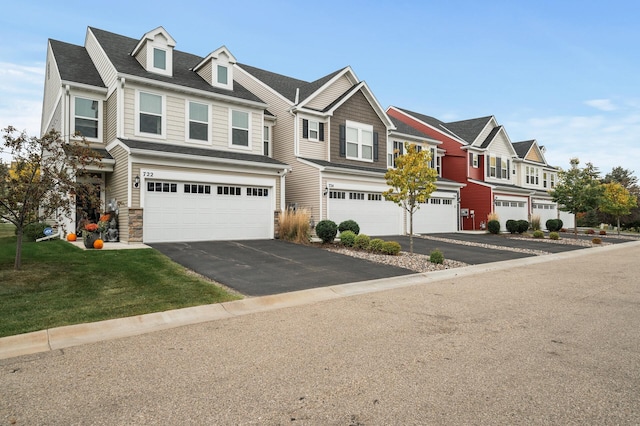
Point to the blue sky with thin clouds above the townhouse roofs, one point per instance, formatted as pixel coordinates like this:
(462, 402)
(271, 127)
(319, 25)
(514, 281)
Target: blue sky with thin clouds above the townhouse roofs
(566, 73)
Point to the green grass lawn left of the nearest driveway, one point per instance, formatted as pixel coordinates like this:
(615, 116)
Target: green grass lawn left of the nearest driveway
(60, 284)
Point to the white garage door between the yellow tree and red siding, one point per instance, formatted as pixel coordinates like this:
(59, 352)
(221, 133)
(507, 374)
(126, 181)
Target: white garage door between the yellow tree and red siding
(437, 215)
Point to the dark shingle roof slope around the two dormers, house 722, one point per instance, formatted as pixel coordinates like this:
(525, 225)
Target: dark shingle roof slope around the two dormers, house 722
(118, 49)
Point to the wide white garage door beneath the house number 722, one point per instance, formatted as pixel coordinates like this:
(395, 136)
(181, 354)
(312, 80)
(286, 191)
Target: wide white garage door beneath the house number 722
(187, 211)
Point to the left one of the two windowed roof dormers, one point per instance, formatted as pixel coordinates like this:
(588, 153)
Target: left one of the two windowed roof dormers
(154, 51)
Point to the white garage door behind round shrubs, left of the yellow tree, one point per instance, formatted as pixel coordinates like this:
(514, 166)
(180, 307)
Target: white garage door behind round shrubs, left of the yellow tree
(370, 210)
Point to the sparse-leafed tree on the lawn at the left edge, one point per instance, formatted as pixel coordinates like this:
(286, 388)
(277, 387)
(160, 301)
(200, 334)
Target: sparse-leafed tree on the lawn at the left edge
(44, 179)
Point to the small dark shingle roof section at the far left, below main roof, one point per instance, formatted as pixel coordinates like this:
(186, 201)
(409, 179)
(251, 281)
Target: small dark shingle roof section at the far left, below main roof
(74, 64)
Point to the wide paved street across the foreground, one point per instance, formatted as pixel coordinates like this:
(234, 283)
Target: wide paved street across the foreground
(556, 342)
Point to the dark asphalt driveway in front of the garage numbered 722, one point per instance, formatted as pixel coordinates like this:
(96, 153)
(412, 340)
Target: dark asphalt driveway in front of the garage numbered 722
(263, 267)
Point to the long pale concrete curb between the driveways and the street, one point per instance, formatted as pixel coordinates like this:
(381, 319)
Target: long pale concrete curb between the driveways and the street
(80, 334)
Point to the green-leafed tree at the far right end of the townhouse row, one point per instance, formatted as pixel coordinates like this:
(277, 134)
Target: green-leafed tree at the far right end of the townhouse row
(578, 189)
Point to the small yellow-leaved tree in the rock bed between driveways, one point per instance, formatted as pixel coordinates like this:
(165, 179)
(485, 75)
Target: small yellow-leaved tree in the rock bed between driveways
(411, 182)
